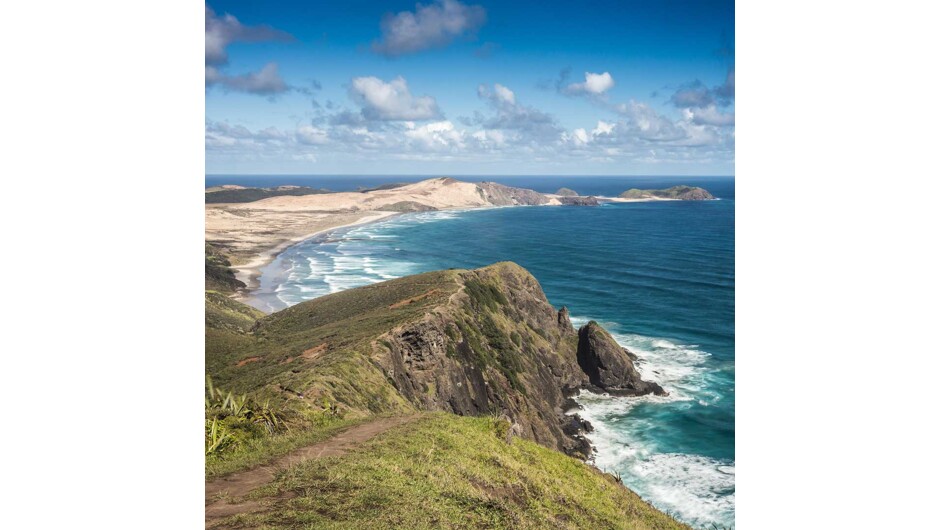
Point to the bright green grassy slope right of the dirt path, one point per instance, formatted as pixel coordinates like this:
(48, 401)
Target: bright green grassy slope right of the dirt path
(447, 471)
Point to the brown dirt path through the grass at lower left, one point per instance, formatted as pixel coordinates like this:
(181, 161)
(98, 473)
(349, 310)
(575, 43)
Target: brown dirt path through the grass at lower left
(225, 495)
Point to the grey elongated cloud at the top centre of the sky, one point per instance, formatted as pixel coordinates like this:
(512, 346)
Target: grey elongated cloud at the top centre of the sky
(430, 26)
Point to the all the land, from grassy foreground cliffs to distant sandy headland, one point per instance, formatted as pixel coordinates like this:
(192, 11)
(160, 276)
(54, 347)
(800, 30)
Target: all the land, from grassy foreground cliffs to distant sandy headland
(441, 399)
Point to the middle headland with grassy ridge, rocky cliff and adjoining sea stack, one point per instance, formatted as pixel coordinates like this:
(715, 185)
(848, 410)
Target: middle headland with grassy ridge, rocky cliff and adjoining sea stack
(470, 342)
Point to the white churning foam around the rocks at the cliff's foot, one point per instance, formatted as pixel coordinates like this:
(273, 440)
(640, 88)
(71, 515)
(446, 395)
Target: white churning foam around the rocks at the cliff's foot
(698, 489)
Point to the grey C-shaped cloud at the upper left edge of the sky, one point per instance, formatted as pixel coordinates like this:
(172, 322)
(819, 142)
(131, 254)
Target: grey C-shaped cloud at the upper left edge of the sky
(226, 29)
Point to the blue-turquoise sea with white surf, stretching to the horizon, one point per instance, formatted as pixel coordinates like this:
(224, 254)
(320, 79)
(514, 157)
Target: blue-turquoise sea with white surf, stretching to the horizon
(658, 275)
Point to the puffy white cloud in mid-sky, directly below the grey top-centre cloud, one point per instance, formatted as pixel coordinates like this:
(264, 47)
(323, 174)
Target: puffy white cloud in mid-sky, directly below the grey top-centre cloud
(391, 101)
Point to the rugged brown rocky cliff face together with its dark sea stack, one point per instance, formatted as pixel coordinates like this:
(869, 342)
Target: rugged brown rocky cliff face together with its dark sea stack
(500, 347)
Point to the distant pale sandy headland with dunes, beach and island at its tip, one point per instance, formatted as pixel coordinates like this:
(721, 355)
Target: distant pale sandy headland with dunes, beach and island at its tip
(252, 225)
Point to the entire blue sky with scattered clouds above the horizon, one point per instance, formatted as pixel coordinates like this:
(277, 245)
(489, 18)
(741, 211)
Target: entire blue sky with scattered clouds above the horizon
(475, 88)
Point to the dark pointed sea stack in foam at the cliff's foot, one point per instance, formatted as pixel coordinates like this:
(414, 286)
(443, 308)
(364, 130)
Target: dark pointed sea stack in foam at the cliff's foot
(609, 366)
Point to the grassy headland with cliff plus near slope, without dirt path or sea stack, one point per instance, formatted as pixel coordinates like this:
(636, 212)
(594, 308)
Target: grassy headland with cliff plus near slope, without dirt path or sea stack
(484, 344)
